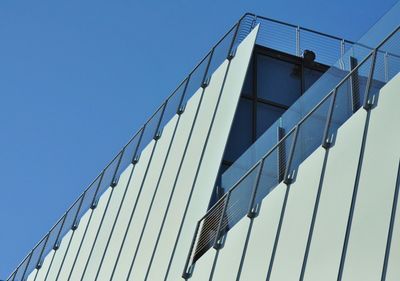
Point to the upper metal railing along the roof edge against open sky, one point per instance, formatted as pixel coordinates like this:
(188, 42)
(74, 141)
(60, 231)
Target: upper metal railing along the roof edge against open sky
(273, 34)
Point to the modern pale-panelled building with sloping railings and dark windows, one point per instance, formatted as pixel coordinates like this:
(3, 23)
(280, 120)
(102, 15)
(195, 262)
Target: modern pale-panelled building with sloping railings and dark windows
(277, 158)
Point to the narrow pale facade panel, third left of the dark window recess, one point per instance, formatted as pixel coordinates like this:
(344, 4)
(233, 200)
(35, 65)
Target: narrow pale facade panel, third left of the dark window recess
(164, 190)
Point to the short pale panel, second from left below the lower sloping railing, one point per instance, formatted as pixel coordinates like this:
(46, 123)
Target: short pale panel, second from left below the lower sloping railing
(229, 256)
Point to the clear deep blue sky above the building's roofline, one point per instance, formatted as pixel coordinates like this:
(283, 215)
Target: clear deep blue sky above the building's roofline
(78, 78)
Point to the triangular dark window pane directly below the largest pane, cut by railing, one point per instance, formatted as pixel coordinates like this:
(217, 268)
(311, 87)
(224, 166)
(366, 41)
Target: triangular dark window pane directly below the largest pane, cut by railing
(266, 116)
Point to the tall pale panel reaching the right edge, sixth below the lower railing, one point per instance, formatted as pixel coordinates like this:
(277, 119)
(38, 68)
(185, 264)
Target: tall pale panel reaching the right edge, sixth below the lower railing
(369, 230)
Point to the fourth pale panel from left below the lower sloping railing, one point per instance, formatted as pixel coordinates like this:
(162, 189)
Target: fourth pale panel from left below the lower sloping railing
(297, 219)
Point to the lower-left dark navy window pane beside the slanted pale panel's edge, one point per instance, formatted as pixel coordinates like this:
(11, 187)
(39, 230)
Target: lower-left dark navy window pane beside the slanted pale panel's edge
(240, 137)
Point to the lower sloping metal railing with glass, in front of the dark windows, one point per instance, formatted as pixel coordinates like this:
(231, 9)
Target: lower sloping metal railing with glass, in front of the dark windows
(359, 88)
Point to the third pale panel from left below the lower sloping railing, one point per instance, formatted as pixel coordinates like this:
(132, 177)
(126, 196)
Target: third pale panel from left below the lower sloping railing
(262, 237)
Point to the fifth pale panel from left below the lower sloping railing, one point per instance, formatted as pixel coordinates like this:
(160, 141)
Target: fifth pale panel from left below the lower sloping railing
(334, 205)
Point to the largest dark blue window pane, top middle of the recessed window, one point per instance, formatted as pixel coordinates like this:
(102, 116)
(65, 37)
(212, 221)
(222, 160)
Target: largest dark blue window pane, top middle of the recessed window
(278, 81)
